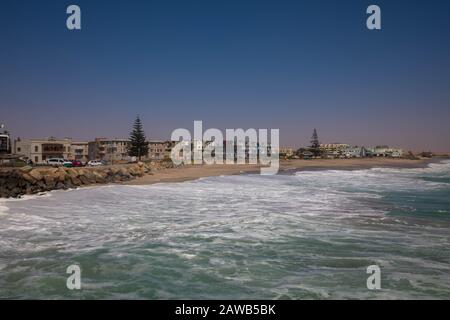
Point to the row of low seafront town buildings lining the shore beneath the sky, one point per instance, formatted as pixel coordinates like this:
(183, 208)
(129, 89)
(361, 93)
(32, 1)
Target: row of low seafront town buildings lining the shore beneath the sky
(40, 151)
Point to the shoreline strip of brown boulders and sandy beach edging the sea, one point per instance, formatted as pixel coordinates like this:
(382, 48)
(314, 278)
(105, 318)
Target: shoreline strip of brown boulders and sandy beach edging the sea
(16, 183)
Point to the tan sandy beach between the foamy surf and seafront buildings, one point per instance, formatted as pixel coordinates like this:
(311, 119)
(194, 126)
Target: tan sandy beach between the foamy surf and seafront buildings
(193, 172)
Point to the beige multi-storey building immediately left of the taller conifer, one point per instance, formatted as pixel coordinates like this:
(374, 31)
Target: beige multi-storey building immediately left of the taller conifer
(109, 150)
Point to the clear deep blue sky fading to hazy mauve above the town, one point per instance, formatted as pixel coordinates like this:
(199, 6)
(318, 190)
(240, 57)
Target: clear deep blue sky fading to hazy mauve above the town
(292, 65)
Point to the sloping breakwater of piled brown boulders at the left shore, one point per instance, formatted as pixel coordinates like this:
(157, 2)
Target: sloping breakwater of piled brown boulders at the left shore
(15, 182)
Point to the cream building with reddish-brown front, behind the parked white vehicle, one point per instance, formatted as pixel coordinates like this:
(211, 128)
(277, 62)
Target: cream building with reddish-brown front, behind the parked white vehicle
(40, 150)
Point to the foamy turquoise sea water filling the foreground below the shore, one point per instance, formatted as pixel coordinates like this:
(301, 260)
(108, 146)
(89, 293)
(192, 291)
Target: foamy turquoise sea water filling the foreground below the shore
(308, 235)
